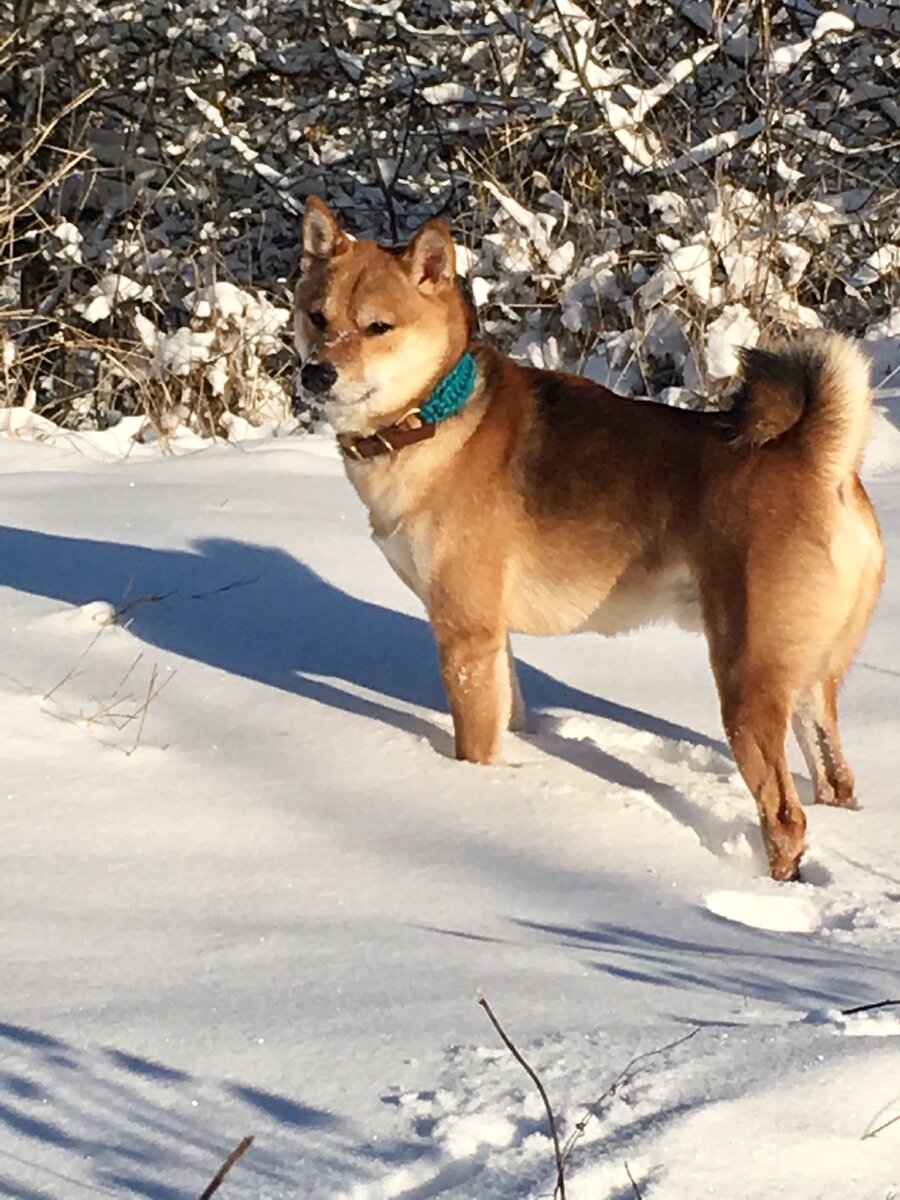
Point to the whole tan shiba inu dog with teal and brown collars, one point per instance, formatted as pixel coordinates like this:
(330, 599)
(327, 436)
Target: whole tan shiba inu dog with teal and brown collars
(520, 501)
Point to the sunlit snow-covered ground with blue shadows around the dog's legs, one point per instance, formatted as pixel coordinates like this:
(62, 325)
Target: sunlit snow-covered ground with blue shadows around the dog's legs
(245, 890)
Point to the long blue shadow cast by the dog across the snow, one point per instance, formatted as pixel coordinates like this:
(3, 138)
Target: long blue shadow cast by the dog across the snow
(257, 613)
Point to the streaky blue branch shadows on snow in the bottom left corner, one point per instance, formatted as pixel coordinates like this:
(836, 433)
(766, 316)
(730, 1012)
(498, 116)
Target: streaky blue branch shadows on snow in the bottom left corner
(99, 1119)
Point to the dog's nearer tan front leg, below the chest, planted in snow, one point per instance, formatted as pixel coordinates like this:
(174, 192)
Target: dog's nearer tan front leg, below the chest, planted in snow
(476, 669)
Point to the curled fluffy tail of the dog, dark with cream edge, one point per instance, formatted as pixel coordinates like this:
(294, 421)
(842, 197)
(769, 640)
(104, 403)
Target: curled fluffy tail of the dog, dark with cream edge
(813, 391)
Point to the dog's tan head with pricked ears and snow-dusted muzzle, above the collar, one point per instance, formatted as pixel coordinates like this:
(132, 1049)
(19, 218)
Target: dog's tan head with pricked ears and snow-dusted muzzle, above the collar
(376, 329)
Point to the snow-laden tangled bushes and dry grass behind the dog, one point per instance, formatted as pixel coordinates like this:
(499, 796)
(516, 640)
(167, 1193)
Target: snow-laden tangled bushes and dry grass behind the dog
(640, 184)
